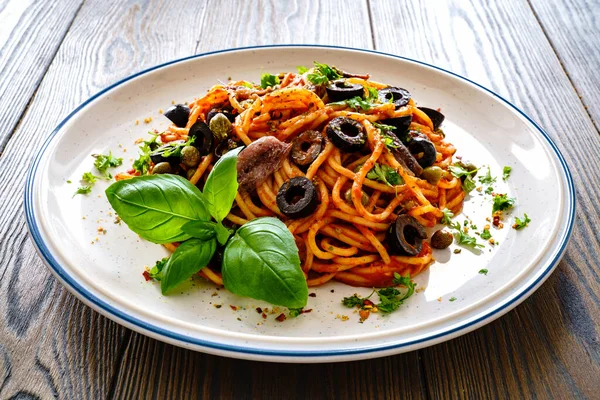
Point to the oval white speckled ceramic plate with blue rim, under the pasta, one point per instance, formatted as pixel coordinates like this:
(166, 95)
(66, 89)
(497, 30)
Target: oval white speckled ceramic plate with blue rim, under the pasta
(107, 274)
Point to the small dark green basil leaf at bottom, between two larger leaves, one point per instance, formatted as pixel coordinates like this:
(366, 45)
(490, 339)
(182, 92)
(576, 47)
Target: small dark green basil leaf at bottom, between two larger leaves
(189, 258)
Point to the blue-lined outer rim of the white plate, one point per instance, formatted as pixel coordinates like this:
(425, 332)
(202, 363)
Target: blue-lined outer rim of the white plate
(157, 331)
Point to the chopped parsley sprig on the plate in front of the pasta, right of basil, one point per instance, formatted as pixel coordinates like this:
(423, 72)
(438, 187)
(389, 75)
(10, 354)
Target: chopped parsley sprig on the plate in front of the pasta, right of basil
(390, 298)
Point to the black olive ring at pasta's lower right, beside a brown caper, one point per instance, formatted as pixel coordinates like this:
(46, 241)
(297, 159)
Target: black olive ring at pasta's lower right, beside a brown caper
(406, 236)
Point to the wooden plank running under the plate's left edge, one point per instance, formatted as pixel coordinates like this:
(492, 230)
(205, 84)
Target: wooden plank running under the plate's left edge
(50, 343)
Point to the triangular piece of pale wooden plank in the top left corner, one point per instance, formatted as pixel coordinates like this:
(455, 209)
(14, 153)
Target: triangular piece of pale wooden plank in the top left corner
(30, 33)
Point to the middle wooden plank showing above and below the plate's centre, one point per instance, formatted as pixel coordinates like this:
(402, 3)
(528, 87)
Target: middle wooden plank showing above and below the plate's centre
(151, 369)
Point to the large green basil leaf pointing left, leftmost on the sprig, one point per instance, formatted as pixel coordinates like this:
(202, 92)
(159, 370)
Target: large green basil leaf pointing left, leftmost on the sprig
(157, 206)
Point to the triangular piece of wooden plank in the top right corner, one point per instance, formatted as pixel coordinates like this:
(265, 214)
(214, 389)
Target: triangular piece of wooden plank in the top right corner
(573, 28)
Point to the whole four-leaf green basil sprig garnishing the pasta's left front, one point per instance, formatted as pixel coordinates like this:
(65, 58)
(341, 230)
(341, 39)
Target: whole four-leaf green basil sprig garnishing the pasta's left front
(261, 259)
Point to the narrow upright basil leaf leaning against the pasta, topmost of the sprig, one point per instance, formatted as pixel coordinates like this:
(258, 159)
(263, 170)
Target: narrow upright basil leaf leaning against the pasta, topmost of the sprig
(221, 185)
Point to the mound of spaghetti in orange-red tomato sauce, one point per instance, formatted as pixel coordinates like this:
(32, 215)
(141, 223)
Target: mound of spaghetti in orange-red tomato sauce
(344, 237)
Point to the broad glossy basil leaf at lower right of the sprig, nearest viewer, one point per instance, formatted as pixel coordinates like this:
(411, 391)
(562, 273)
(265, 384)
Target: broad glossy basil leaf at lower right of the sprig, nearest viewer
(261, 261)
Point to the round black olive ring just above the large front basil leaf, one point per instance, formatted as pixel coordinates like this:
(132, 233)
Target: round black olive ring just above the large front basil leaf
(297, 198)
